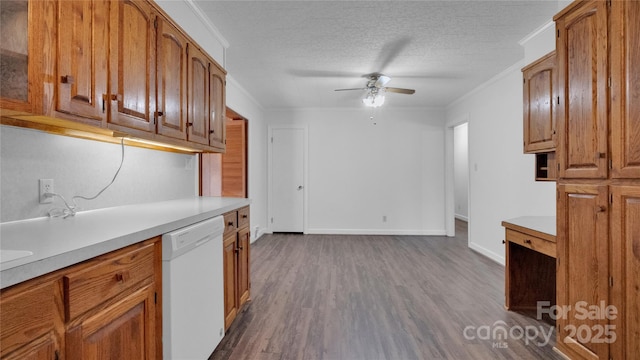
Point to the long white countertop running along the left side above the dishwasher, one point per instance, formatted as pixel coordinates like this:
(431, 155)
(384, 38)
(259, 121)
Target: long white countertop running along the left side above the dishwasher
(57, 243)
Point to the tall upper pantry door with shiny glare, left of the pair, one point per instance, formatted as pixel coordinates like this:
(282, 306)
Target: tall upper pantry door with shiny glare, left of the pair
(582, 87)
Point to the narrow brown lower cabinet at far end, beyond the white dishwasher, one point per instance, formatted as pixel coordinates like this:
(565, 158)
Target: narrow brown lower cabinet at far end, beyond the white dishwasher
(236, 259)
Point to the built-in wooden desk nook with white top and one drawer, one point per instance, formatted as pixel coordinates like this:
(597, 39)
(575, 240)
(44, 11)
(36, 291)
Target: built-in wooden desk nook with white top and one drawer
(530, 269)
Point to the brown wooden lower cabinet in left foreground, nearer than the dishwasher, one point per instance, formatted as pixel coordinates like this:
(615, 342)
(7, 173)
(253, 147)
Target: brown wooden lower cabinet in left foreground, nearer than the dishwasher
(104, 308)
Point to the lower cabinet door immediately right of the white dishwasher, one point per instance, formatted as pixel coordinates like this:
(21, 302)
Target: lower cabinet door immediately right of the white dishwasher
(230, 279)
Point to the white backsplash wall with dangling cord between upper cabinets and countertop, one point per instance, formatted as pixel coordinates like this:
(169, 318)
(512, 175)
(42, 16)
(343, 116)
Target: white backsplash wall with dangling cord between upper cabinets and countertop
(83, 167)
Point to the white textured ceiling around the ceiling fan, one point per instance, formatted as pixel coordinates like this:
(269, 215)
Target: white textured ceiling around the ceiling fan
(295, 53)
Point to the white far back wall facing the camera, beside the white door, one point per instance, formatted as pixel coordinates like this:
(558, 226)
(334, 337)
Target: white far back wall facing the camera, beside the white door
(360, 172)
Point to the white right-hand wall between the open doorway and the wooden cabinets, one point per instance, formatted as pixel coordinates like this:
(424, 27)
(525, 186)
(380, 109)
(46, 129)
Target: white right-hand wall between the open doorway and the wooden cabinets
(501, 178)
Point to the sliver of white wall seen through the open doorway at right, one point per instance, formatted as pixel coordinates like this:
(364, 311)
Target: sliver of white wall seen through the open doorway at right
(461, 171)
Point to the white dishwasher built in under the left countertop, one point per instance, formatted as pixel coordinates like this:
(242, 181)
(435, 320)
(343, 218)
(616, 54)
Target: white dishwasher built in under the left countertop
(192, 290)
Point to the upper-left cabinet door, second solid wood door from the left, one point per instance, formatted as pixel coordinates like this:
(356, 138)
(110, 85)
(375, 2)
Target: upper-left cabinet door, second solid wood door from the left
(132, 65)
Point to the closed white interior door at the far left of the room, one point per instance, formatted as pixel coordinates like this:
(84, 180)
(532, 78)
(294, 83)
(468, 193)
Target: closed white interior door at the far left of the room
(287, 180)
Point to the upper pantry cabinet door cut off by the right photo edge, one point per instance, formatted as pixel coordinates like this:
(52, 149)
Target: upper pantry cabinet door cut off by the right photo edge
(625, 93)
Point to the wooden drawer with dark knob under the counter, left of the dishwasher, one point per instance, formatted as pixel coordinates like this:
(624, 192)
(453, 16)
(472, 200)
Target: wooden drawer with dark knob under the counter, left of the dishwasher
(111, 275)
